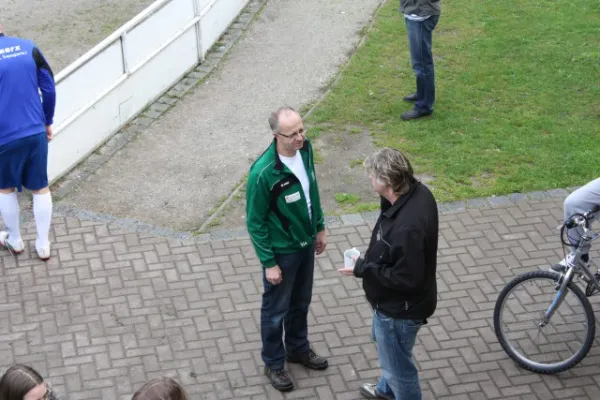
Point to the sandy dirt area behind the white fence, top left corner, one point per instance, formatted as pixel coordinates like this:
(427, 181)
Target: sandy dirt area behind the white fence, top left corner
(66, 29)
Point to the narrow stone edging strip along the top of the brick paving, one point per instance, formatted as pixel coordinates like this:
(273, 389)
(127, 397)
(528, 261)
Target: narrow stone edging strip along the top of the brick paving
(135, 226)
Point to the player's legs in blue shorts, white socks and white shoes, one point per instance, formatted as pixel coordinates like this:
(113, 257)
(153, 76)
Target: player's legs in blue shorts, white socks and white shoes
(24, 163)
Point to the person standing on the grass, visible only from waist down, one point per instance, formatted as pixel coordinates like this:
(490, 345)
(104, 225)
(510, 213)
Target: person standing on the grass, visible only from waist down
(421, 17)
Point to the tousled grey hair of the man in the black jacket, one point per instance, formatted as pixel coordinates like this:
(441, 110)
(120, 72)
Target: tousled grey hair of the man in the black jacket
(391, 168)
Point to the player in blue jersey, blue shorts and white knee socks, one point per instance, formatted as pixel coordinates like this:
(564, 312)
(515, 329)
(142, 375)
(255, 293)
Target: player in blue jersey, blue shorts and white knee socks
(25, 130)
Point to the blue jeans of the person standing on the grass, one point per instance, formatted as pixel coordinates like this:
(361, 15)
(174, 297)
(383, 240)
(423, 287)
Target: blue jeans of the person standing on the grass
(419, 41)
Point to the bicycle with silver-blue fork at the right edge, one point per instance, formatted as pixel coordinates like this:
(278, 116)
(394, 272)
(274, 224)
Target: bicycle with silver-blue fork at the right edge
(529, 342)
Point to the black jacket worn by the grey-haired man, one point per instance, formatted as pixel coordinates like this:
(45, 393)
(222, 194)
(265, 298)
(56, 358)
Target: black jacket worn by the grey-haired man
(398, 269)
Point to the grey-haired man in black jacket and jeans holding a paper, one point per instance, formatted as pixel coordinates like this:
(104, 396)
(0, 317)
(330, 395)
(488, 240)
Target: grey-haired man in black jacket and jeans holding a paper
(398, 272)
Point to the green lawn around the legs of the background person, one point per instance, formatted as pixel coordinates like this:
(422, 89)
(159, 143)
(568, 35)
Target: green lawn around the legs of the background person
(518, 95)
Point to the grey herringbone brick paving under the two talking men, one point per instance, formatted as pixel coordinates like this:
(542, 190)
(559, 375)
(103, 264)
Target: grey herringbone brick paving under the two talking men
(113, 309)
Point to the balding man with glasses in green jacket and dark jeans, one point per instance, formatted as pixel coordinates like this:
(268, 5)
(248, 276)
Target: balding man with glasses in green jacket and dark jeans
(287, 227)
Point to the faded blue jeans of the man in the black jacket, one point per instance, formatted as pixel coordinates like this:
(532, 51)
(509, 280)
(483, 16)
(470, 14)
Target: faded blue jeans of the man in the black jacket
(395, 340)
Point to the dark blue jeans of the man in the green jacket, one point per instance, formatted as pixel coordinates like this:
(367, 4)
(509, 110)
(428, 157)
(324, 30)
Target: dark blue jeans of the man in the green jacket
(286, 306)
